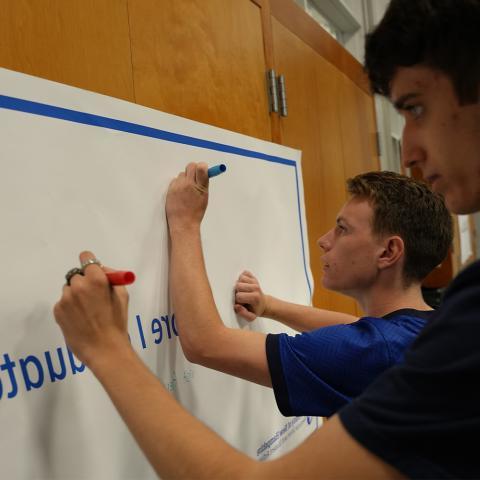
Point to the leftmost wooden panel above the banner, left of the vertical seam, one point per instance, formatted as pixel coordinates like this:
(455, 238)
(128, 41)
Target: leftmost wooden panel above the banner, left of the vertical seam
(84, 43)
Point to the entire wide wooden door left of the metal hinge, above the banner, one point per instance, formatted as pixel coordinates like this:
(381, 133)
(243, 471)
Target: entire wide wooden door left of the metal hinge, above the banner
(201, 59)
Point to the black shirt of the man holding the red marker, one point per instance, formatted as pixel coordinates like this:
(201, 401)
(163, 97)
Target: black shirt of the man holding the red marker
(423, 416)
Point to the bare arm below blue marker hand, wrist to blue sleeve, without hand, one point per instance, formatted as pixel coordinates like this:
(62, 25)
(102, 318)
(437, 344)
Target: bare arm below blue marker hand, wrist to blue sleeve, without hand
(204, 337)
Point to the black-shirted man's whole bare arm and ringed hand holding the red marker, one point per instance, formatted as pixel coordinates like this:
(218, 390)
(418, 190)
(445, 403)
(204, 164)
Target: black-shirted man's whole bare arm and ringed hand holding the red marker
(93, 318)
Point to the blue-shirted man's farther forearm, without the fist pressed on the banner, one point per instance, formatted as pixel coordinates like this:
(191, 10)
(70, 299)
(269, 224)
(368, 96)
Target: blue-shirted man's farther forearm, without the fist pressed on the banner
(303, 318)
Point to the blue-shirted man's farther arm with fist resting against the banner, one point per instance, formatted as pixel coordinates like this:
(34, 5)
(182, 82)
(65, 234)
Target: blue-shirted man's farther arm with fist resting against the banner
(251, 302)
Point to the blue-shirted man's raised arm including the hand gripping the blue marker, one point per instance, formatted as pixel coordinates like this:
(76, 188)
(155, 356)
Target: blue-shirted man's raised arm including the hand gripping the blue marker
(205, 339)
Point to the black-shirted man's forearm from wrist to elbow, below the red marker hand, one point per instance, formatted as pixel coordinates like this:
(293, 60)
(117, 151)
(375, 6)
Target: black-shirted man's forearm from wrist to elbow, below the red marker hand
(175, 443)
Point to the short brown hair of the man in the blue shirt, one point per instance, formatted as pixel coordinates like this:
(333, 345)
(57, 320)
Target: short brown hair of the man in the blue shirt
(408, 208)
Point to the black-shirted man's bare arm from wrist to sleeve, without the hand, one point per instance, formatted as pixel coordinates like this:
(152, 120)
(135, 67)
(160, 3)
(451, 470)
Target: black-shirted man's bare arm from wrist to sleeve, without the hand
(179, 446)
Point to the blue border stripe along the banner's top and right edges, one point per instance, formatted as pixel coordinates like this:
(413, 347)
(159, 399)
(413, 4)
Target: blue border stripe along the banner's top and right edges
(51, 111)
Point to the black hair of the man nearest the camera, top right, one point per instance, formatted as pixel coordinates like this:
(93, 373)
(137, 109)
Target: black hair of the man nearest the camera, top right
(441, 34)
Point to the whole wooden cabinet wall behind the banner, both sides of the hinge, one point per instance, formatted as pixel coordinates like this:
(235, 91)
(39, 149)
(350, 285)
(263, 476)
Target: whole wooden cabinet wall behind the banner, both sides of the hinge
(207, 60)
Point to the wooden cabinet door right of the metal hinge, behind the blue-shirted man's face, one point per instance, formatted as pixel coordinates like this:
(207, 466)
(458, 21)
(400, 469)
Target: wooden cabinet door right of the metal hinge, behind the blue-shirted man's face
(313, 125)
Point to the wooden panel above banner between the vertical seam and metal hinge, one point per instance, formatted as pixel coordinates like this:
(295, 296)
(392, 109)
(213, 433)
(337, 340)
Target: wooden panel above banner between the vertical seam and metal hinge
(202, 59)
